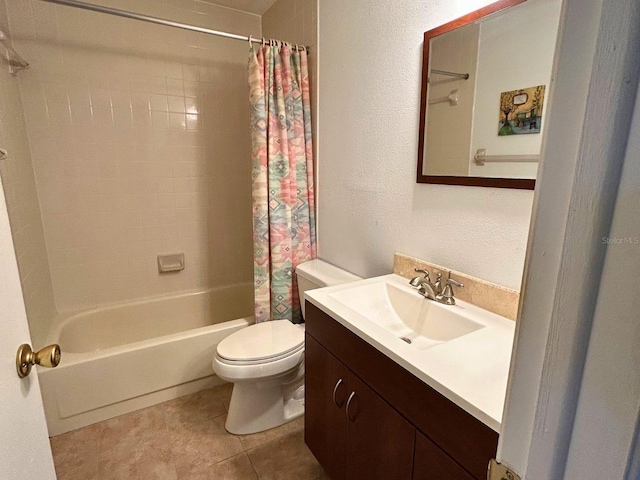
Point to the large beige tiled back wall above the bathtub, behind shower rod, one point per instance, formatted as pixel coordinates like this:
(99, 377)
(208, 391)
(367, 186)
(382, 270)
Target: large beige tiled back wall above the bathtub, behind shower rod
(140, 145)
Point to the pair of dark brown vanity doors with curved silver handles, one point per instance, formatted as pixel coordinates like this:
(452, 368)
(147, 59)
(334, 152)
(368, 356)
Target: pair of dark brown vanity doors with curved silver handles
(352, 431)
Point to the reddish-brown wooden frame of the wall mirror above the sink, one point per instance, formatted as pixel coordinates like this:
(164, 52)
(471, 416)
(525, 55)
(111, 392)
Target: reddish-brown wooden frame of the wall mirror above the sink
(519, 183)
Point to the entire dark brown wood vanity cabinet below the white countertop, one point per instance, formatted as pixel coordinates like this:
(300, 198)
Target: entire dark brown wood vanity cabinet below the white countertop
(368, 417)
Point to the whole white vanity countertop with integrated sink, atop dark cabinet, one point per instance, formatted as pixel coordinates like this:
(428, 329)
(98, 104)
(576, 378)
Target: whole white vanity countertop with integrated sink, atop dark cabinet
(462, 350)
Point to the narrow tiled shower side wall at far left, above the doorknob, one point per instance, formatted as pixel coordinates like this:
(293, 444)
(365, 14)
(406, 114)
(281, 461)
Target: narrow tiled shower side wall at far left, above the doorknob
(22, 203)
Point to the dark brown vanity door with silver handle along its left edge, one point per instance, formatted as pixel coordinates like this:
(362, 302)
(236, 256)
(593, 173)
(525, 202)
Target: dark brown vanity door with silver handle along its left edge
(379, 440)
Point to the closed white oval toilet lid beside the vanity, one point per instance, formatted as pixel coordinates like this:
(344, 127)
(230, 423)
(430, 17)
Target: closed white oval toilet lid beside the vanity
(261, 341)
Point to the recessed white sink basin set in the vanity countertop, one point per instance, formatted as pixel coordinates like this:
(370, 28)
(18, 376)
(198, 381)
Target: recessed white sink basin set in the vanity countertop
(407, 315)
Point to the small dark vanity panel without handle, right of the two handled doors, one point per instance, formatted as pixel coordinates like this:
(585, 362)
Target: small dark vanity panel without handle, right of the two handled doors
(431, 463)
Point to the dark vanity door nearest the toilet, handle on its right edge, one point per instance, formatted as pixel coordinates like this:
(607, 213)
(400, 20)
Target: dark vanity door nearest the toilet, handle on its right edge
(325, 398)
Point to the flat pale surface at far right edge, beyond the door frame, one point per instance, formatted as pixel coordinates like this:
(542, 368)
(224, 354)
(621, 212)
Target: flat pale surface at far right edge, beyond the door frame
(604, 440)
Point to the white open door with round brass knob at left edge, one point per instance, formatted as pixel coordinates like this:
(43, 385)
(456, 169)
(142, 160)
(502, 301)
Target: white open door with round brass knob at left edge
(24, 442)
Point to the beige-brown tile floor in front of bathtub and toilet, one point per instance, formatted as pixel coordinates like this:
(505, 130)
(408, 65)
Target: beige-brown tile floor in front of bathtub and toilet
(183, 439)
